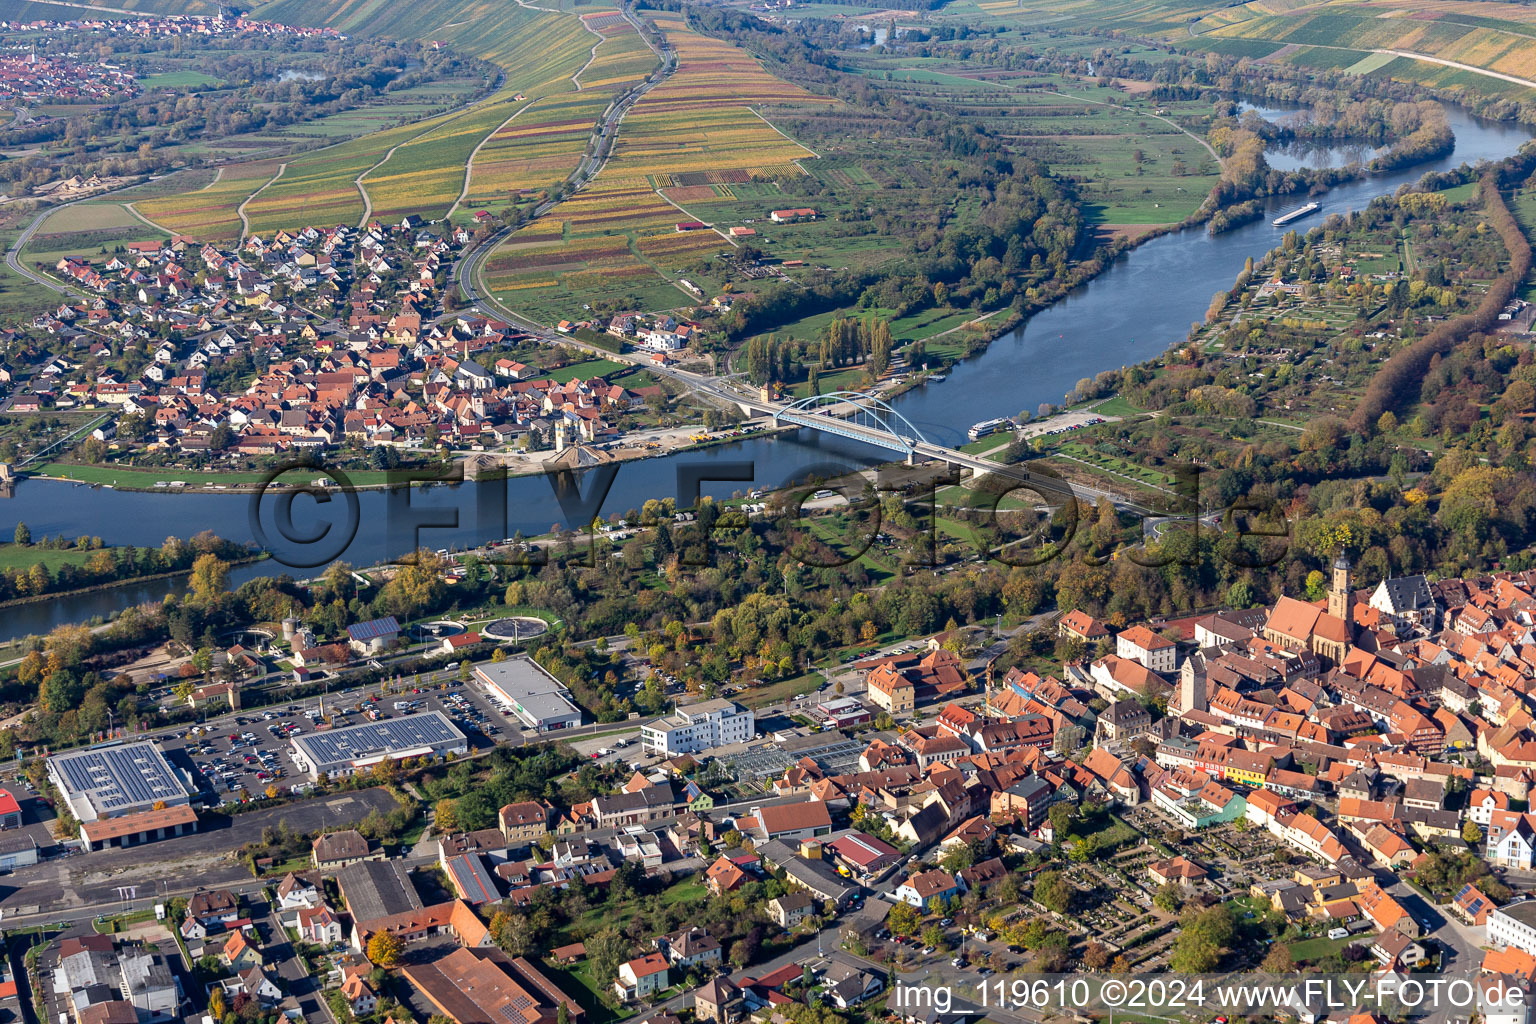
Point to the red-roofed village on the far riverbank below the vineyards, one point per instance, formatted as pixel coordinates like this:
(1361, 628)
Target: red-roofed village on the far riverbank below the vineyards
(337, 335)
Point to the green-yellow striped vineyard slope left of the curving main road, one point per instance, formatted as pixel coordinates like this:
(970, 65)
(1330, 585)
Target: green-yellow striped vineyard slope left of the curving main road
(531, 134)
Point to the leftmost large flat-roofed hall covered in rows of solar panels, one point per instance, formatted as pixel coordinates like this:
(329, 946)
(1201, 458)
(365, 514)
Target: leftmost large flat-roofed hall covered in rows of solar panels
(113, 782)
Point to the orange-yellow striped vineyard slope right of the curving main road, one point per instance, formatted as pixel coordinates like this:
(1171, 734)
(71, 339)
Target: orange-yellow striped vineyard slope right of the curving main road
(618, 242)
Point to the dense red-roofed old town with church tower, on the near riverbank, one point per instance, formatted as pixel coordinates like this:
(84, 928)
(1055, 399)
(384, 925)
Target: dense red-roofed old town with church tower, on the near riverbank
(1400, 744)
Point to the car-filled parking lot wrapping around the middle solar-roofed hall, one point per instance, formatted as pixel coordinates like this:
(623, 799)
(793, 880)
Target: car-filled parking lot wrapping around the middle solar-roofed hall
(247, 753)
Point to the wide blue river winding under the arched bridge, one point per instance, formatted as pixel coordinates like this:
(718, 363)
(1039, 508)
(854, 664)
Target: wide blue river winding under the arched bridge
(1134, 311)
